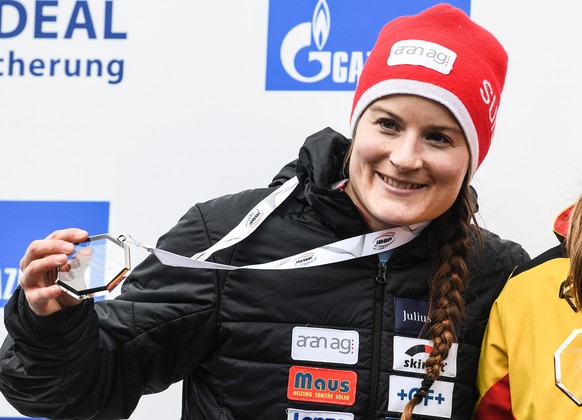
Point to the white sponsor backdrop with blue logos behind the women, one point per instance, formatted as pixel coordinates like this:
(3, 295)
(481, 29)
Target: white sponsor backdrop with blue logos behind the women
(119, 115)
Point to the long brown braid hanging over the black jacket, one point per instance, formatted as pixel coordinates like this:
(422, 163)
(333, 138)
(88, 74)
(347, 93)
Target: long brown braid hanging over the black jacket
(452, 235)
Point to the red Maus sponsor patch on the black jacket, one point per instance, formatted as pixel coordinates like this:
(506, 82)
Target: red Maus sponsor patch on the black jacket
(326, 386)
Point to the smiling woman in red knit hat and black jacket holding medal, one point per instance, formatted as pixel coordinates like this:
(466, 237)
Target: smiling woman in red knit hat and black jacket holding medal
(367, 336)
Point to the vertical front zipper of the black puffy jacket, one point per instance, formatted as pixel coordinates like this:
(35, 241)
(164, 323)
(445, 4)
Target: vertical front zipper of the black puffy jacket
(377, 336)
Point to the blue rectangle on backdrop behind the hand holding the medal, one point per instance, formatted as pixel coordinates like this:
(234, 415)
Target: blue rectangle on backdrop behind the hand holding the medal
(24, 221)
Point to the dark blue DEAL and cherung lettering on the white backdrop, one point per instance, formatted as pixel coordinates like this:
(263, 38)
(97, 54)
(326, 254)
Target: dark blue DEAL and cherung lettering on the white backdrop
(48, 20)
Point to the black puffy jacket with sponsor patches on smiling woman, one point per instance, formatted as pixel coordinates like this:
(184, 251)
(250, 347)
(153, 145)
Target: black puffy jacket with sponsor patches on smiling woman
(321, 342)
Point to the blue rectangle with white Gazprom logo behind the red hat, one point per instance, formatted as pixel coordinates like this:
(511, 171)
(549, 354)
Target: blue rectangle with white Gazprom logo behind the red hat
(322, 45)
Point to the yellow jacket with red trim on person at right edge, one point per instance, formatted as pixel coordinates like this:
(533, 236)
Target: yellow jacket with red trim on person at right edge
(528, 322)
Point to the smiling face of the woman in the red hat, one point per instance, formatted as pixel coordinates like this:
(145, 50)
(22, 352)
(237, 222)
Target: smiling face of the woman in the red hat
(408, 162)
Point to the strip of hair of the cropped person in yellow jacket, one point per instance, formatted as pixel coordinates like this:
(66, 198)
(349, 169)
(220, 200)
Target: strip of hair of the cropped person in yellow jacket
(574, 251)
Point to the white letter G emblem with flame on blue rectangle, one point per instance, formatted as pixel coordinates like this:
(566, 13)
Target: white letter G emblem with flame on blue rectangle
(301, 36)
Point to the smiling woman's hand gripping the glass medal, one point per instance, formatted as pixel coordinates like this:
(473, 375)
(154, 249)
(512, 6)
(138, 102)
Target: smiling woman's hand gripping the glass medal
(40, 265)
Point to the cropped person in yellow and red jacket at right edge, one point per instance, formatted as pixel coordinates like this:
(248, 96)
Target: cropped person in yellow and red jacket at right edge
(532, 334)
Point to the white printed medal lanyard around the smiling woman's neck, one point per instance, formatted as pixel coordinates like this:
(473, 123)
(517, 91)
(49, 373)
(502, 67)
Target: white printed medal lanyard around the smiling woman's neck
(346, 249)
